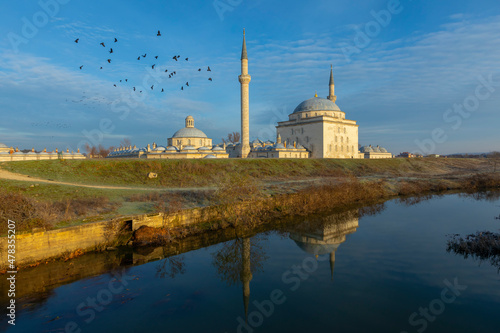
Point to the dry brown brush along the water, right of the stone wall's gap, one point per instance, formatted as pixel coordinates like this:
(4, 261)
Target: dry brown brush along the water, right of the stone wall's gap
(257, 211)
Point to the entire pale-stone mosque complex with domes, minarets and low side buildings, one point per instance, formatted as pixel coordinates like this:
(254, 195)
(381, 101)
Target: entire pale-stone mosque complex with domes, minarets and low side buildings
(317, 128)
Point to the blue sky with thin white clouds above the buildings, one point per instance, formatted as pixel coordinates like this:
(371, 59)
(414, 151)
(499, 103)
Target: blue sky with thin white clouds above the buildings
(422, 76)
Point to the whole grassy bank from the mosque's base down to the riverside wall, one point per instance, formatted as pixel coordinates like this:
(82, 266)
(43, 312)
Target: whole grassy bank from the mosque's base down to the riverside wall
(35, 205)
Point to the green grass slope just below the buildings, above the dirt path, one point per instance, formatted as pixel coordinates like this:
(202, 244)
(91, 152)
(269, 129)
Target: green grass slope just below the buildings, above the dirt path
(192, 173)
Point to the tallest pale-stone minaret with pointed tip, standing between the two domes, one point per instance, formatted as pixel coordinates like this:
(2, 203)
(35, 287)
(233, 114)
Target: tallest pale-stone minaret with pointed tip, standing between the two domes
(244, 81)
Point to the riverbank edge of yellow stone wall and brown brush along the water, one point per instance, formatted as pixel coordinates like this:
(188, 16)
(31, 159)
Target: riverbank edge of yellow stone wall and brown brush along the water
(238, 206)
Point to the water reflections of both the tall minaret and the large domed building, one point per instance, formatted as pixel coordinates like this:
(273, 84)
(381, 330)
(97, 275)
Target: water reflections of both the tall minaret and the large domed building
(239, 259)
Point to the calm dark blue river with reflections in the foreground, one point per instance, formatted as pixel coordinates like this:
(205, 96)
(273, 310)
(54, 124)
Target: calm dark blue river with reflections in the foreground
(375, 270)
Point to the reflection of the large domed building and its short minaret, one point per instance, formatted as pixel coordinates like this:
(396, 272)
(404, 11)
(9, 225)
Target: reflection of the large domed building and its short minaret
(324, 235)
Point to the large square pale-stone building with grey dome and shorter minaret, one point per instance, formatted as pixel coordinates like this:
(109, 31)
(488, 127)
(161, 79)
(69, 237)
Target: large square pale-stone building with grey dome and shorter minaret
(321, 127)
